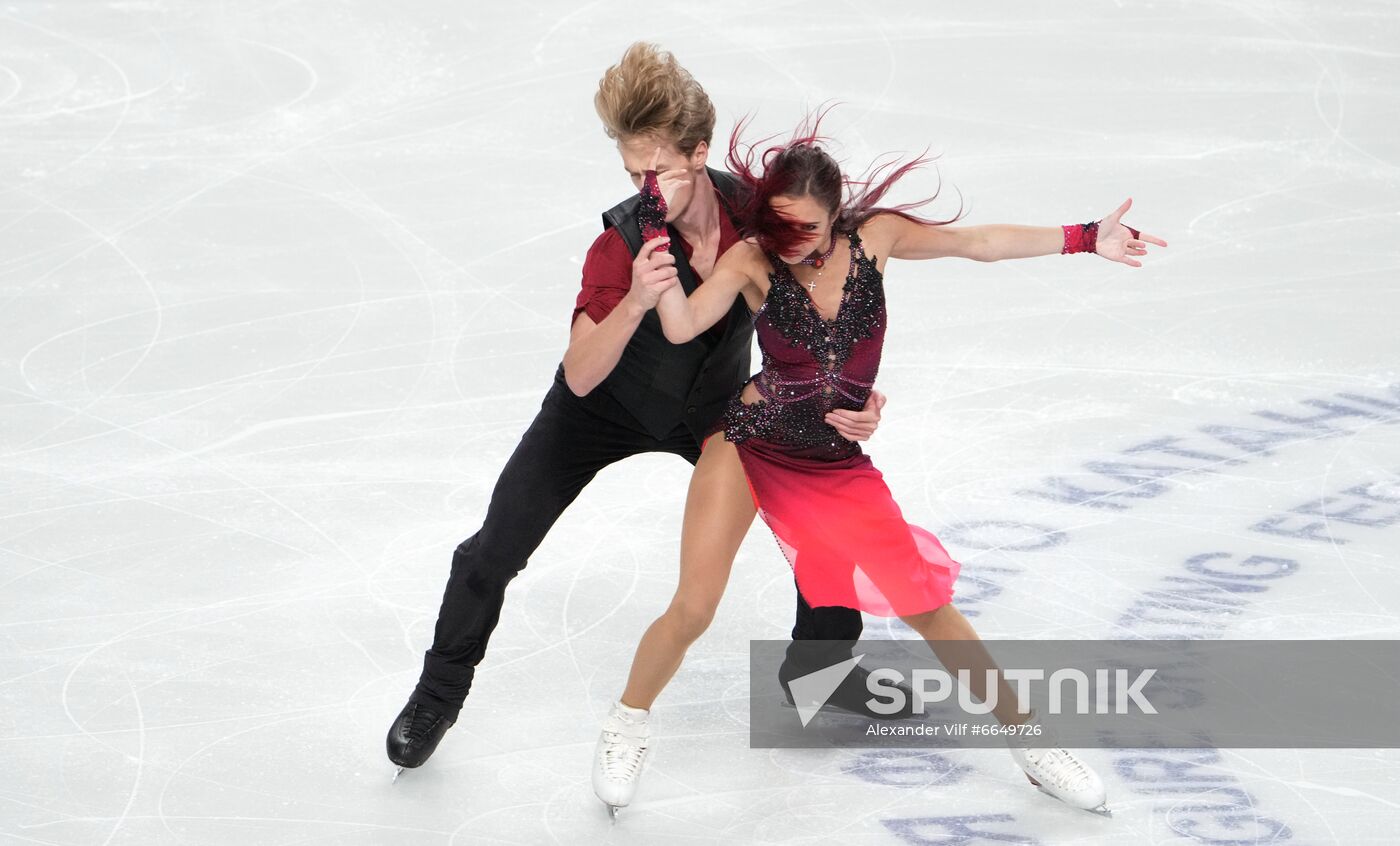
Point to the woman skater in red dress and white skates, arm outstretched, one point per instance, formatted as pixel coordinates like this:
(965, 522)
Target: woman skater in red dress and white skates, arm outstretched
(811, 272)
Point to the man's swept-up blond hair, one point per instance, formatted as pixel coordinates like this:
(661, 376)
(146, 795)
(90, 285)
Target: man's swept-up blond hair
(649, 93)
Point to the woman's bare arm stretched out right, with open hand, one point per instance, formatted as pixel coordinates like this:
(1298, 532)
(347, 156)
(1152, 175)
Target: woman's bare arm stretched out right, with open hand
(905, 239)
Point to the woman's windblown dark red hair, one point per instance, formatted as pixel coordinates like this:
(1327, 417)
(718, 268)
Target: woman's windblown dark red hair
(800, 167)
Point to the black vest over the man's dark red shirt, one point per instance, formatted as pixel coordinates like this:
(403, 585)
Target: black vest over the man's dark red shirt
(659, 384)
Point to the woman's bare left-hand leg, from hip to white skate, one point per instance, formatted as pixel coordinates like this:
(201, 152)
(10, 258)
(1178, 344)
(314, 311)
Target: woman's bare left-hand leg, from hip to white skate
(719, 513)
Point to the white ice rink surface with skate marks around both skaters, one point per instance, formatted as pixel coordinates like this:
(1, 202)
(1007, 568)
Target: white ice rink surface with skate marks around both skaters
(283, 284)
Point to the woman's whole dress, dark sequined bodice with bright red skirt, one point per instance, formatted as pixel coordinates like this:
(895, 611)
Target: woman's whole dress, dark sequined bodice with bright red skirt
(828, 506)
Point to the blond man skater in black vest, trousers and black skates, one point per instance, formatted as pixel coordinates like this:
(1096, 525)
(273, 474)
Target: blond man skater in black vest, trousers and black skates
(621, 390)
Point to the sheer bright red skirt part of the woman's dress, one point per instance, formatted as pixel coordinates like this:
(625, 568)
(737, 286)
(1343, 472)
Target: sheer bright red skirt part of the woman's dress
(843, 534)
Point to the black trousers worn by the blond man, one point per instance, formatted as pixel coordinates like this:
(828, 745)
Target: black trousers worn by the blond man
(561, 453)
